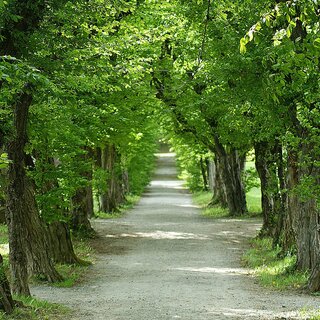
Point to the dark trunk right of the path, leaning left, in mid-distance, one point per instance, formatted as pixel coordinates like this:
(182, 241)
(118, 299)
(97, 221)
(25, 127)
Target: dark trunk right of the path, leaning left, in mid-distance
(231, 165)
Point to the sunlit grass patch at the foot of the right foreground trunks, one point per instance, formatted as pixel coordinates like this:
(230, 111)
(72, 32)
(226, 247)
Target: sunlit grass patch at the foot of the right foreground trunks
(273, 270)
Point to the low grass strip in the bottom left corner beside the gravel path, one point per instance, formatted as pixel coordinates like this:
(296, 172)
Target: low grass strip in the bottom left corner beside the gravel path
(34, 309)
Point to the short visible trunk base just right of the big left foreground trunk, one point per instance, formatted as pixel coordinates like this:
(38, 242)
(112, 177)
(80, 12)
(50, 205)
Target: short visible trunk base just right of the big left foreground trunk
(61, 246)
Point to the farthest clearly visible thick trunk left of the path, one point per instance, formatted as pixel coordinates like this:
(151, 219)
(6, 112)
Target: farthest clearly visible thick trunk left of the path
(114, 195)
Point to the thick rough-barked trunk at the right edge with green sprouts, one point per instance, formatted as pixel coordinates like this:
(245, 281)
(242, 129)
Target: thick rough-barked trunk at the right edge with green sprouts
(303, 205)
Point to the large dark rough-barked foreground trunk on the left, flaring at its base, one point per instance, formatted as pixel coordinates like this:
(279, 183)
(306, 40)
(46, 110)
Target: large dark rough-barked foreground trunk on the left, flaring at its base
(27, 238)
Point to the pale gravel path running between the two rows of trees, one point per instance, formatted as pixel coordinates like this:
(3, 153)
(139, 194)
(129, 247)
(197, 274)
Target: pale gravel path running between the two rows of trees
(164, 261)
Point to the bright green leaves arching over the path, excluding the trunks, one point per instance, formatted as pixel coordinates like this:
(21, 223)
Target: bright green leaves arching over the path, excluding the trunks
(112, 72)
